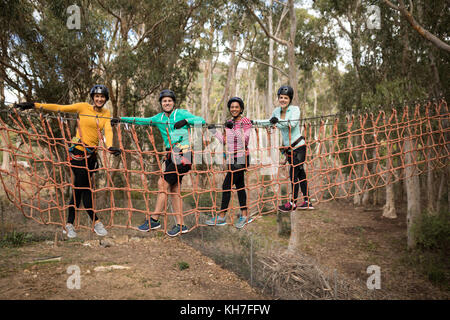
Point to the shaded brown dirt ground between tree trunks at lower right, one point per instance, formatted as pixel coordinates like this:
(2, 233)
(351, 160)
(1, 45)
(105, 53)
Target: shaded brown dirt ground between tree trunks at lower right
(340, 237)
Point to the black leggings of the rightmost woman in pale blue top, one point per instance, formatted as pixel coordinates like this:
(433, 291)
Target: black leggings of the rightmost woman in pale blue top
(297, 173)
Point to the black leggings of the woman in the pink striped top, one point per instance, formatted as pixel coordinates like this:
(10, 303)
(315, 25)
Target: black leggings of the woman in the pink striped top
(235, 176)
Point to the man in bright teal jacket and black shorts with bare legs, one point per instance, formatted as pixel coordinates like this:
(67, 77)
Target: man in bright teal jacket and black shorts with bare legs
(173, 124)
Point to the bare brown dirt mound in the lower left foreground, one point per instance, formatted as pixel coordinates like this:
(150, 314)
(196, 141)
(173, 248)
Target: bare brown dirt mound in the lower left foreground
(154, 270)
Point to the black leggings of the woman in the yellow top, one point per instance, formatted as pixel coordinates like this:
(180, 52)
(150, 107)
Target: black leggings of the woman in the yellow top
(82, 187)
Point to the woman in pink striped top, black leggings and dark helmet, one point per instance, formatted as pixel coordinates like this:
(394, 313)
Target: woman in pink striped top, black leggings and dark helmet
(237, 135)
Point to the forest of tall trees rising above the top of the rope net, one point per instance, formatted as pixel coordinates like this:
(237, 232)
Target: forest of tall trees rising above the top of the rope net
(339, 56)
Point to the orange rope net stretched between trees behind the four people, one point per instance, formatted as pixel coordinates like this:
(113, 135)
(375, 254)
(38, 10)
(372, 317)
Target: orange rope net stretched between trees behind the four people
(347, 155)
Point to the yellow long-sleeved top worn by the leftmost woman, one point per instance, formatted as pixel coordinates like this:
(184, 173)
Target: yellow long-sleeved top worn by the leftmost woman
(91, 122)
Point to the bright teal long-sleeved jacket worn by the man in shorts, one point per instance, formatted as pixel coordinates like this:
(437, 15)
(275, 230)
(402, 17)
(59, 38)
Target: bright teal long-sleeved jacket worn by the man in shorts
(165, 124)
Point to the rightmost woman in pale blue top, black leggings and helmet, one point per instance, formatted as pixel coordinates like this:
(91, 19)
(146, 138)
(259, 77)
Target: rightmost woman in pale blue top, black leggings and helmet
(287, 118)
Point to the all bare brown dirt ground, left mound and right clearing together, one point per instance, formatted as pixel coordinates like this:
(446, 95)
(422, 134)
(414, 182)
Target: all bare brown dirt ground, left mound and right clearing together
(157, 267)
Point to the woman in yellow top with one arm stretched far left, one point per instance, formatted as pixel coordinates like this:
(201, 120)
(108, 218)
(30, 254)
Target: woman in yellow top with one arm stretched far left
(83, 150)
